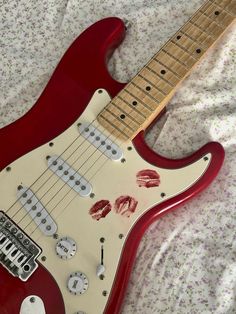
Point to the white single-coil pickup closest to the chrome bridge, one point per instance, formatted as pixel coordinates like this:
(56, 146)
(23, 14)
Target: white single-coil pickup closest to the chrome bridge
(37, 211)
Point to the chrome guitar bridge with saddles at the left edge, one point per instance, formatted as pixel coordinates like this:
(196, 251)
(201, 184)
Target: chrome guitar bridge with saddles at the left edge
(18, 252)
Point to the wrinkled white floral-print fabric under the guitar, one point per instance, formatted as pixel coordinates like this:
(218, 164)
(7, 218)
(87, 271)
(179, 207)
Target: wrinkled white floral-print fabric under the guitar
(186, 262)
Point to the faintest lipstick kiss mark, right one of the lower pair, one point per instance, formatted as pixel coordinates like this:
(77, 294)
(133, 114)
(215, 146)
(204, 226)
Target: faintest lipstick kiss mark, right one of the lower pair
(125, 205)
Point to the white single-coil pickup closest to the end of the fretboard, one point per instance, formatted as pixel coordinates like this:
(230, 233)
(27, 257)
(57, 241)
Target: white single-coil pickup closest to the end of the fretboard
(102, 142)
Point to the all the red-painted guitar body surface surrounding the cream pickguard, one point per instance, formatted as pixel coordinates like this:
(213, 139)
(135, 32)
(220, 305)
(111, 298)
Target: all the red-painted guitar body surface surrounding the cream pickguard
(81, 71)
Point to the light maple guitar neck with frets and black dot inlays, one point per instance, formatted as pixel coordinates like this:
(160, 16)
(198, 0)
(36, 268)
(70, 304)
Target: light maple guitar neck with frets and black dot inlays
(137, 105)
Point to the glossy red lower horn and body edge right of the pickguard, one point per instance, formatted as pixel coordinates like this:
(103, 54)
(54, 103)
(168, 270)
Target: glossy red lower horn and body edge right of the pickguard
(132, 243)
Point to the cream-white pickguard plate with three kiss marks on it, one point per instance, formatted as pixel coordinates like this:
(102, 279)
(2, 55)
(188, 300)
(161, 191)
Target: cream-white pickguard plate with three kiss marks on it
(110, 180)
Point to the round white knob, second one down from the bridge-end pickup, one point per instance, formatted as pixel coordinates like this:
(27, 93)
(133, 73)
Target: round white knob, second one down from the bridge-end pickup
(77, 283)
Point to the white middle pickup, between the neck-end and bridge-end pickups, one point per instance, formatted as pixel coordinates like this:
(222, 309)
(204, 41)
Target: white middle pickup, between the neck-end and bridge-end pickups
(70, 176)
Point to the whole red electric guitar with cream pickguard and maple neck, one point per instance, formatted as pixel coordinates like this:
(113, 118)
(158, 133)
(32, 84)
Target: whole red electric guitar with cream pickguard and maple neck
(78, 184)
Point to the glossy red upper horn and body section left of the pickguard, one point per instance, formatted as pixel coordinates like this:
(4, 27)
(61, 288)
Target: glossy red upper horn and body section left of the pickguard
(81, 71)
